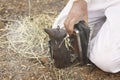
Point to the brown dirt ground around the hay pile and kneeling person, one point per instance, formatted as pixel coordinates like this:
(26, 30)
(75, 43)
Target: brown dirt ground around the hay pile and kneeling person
(16, 67)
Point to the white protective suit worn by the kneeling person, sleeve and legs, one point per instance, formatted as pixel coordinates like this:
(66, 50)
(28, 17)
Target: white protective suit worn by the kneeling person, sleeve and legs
(104, 47)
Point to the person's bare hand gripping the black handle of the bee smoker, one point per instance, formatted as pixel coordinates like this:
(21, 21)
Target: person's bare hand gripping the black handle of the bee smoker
(77, 13)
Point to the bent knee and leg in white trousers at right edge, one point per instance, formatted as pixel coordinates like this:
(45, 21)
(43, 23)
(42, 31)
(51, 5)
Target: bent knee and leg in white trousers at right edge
(105, 47)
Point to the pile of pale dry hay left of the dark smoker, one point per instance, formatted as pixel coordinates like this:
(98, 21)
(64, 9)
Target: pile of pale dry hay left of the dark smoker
(27, 37)
